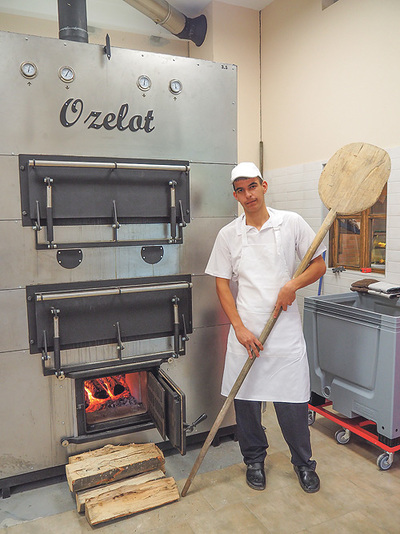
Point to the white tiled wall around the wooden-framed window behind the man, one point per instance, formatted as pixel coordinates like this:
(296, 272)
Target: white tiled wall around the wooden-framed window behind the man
(296, 189)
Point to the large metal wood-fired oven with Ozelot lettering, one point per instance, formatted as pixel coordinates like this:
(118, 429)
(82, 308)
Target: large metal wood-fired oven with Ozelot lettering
(111, 195)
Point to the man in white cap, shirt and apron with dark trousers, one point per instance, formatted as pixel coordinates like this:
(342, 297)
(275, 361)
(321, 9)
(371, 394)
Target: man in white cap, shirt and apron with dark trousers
(258, 251)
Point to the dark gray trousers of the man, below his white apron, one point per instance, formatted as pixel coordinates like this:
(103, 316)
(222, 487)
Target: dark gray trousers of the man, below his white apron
(293, 420)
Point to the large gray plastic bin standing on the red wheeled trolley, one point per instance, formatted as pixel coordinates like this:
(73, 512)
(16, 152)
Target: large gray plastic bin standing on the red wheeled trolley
(353, 345)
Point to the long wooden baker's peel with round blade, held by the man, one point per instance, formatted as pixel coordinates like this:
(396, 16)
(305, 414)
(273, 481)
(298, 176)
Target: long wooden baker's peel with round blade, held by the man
(351, 182)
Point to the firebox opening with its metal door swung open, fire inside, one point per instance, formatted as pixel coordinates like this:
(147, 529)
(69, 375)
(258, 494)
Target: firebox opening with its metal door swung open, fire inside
(131, 401)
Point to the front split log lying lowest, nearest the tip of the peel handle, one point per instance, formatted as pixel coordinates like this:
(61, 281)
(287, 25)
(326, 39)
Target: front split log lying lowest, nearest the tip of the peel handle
(117, 504)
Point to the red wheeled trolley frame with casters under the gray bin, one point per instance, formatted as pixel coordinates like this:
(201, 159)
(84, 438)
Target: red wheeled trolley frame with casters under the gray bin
(356, 425)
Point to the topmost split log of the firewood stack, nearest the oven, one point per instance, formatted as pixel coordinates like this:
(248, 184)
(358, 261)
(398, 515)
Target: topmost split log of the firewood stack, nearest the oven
(96, 470)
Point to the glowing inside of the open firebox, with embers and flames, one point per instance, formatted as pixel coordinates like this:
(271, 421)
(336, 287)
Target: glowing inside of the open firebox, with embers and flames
(113, 397)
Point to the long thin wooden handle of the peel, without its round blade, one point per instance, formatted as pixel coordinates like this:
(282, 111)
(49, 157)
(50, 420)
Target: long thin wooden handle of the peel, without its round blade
(329, 219)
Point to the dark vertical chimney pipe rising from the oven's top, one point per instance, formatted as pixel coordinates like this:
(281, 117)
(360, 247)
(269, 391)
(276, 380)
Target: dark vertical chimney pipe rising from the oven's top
(72, 20)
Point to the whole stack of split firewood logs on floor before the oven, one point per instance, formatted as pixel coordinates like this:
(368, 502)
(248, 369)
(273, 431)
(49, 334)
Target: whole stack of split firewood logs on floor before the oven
(118, 481)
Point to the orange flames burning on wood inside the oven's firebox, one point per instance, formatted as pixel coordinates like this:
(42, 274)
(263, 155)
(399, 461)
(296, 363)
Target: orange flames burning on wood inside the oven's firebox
(100, 391)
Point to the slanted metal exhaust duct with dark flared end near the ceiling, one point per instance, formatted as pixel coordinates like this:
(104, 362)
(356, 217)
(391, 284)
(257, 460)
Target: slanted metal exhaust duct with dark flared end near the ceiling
(161, 12)
